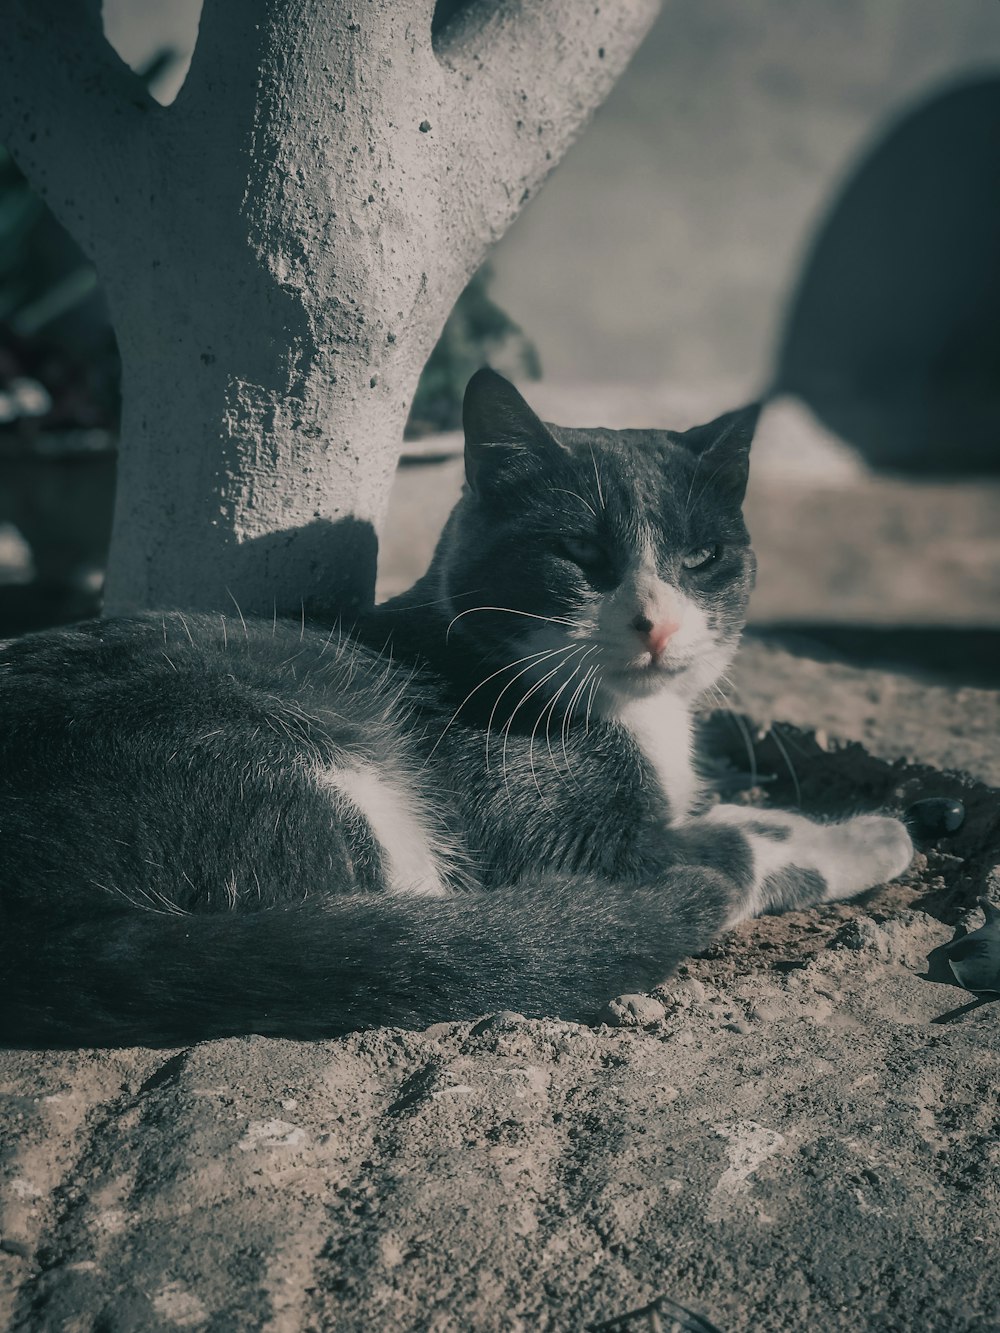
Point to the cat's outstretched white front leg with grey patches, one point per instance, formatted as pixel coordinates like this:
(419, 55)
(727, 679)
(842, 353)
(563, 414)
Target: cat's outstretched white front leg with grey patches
(798, 862)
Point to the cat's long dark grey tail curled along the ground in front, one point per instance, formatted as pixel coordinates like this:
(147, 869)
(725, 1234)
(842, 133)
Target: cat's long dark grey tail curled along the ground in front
(327, 967)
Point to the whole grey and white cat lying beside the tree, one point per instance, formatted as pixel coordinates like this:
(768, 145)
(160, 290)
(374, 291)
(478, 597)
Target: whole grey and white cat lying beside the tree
(482, 798)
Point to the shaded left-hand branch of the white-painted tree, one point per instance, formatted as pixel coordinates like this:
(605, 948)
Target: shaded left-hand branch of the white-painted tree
(71, 113)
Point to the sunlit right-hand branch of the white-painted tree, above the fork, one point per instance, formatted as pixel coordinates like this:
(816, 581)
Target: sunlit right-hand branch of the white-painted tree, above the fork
(531, 75)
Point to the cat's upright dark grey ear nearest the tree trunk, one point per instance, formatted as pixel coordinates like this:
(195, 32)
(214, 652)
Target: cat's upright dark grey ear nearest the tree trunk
(505, 439)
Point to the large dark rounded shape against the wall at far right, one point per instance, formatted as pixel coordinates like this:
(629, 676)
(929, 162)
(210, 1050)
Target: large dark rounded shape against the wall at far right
(894, 333)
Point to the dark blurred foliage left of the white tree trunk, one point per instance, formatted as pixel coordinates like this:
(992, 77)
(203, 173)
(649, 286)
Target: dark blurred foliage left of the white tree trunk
(59, 413)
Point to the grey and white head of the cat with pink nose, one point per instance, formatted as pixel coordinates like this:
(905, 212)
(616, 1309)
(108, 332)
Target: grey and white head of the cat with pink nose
(618, 558)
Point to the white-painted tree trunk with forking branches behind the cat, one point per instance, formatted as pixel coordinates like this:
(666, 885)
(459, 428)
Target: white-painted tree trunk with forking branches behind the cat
(282, 247)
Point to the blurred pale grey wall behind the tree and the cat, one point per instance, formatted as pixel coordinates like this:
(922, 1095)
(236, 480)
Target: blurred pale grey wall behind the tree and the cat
(667, 243)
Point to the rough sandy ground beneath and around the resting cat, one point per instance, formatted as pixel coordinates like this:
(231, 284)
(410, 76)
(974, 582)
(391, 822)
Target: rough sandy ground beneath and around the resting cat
(799, 1132)
